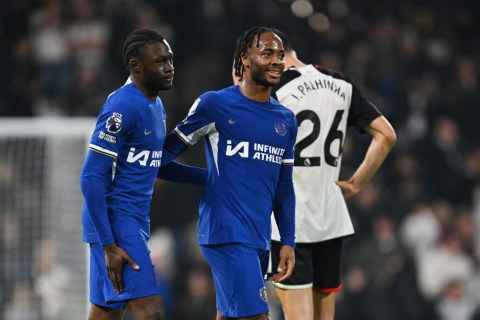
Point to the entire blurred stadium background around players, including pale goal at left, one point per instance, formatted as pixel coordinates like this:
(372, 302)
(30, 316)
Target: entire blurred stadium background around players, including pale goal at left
(416, 252)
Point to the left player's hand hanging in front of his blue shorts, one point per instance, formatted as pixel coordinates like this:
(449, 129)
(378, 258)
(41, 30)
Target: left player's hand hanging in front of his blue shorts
(116, 257)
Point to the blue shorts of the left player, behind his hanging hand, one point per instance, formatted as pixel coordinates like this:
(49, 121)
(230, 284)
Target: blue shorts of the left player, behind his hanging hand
(137, 284)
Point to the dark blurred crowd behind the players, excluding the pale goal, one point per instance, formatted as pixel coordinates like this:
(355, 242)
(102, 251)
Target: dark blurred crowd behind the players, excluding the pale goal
(416, 253)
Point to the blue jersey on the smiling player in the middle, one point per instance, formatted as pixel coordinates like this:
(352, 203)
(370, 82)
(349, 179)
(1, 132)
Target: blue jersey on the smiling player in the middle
(247, 142)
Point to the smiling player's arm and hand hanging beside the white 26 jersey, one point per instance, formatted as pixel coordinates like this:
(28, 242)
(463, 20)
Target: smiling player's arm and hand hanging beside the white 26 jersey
(284, 212)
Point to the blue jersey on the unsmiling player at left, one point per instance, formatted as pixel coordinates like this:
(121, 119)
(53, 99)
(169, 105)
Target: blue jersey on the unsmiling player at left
(131, 130)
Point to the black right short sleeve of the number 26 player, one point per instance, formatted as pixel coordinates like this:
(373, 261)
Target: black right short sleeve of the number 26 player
(362, 111)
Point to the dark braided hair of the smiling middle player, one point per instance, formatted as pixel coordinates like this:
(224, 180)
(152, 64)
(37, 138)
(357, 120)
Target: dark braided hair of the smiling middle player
(245, 41)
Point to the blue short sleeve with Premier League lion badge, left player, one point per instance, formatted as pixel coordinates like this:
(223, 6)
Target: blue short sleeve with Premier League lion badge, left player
(114, 124)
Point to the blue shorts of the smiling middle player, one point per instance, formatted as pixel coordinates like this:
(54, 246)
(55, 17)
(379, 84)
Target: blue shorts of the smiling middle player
(238, 274)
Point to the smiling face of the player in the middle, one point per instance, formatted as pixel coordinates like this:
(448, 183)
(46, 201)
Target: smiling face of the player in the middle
(264, 61)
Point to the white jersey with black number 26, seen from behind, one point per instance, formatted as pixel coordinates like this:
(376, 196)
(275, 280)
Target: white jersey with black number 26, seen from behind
(322, 103)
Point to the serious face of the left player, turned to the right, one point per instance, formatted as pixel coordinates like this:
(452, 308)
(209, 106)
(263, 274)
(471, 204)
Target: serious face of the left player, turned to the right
(155, 66)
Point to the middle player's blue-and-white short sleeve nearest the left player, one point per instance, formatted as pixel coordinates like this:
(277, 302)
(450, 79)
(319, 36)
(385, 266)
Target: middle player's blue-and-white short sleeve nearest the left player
(198, 122)
